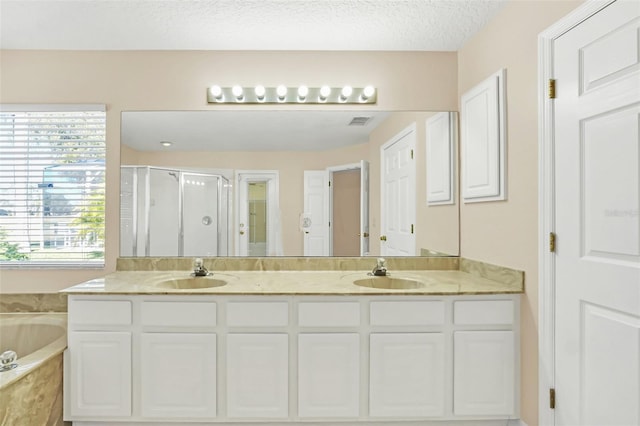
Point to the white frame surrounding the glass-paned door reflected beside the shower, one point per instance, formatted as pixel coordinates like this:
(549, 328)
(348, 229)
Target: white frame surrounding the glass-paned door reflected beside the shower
(273, 195)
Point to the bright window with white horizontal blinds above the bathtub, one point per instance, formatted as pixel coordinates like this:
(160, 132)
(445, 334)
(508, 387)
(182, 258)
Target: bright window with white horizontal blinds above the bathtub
(52, 183)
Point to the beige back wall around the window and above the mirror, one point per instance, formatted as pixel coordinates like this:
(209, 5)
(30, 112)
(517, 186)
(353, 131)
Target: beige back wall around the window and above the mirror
(160, 80)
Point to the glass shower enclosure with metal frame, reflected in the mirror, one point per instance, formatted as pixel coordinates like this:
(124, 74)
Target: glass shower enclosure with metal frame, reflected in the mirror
(172, 212)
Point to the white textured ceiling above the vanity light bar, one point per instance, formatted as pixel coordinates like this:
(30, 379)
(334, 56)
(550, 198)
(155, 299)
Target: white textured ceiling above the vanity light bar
(408, 25)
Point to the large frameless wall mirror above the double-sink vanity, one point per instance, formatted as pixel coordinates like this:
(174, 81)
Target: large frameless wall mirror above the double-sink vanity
(287, 183)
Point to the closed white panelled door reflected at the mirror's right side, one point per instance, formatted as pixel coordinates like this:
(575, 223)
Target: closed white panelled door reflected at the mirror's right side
(398, 195)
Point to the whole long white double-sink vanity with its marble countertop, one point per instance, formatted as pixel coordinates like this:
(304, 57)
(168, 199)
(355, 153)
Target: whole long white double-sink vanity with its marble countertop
(292, 347)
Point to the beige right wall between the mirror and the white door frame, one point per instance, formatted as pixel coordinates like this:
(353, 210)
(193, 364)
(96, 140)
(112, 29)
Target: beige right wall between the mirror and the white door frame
(506, 232)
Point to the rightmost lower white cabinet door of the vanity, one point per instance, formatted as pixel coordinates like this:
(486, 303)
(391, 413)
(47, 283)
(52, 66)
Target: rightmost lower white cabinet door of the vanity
(483, 373)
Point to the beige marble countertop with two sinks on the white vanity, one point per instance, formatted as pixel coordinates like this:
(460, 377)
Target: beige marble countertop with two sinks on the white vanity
(430, 282)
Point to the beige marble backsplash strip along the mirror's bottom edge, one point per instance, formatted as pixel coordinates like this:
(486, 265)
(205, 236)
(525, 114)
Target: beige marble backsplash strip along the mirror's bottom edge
(287, 263)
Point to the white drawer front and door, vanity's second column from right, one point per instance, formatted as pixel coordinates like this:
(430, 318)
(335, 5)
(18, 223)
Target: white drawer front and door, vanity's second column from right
(407, 369)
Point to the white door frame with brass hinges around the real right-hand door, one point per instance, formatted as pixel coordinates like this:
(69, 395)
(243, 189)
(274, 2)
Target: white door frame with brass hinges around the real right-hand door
(546, 203)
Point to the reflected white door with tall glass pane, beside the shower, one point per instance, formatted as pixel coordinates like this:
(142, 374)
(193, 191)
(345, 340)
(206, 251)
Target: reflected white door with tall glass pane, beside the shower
(258, 229)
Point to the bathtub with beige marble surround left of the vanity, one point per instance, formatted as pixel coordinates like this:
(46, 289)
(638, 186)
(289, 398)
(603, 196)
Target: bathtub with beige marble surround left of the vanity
(32, 392)
